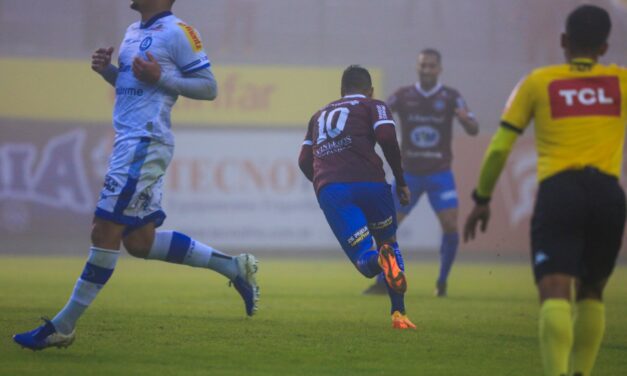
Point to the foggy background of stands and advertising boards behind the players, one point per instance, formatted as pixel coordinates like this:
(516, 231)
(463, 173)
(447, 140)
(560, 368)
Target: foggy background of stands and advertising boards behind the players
(235, 182)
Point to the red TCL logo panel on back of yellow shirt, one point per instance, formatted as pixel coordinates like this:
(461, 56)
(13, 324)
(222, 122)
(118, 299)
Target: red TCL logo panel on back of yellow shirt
(594, 96)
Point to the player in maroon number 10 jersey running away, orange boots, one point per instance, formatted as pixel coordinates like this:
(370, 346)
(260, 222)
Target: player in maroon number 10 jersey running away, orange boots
(338, 156)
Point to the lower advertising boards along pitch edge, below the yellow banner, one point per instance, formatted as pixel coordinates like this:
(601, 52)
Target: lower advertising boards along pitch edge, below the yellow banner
(235, 189)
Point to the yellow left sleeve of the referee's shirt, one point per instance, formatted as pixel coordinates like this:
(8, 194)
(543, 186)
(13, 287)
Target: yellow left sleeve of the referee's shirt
(519, 108)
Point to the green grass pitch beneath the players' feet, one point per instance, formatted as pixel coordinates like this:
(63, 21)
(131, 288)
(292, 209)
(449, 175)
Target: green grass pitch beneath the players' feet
(158, 319)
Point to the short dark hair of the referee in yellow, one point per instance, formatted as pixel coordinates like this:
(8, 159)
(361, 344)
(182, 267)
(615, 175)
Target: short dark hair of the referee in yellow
(588, 28)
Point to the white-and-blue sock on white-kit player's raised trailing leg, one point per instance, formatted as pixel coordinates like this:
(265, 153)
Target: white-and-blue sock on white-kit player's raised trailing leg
(177, 248)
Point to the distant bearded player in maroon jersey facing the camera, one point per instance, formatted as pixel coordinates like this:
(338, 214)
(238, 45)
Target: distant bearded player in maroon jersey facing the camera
(426, 111)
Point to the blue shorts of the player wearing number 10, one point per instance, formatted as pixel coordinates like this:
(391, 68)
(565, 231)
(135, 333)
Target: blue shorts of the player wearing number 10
(357, 212)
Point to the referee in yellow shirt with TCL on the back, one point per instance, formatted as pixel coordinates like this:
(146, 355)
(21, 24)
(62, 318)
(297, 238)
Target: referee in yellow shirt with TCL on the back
(579, 110)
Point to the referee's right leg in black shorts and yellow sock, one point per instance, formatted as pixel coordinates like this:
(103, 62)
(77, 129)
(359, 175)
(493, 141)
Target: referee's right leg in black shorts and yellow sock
(605, 232)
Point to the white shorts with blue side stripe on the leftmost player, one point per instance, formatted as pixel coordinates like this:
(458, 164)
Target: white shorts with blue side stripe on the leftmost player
(133, 187)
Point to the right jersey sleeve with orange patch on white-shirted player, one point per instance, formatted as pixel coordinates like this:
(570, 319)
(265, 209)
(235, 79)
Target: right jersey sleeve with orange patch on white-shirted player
(188, 53)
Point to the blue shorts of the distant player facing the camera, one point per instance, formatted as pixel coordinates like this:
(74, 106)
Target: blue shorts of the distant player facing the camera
(440, 188)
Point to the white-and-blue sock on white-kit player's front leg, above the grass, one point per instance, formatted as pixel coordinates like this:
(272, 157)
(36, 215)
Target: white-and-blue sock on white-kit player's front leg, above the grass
(98, 270)
